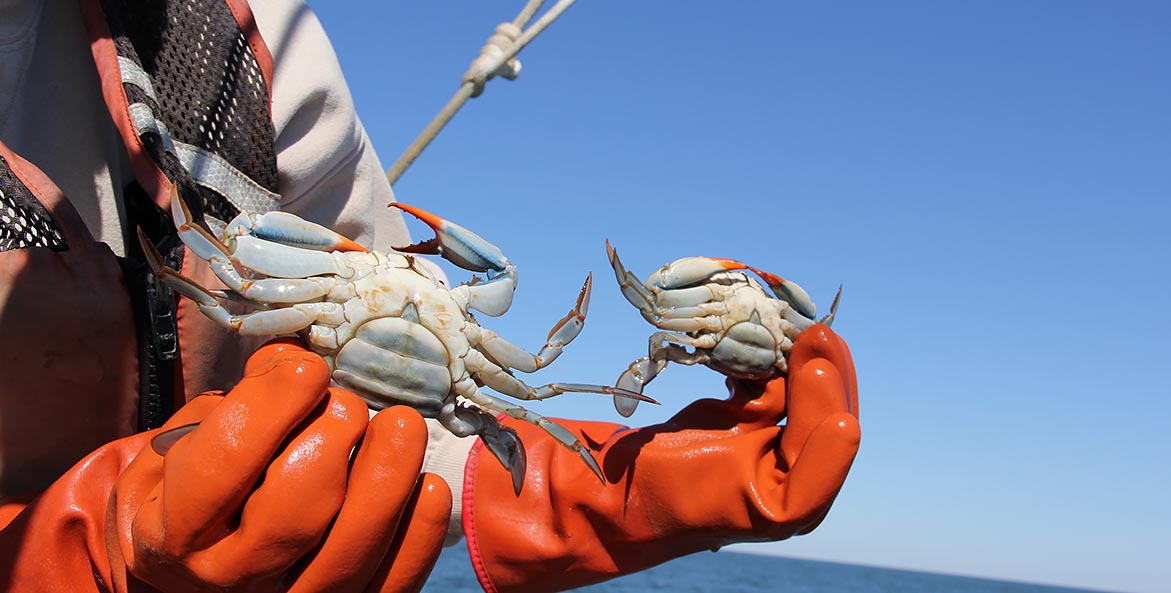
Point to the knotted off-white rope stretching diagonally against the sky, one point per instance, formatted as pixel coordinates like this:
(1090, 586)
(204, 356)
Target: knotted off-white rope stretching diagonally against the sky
(498, 58)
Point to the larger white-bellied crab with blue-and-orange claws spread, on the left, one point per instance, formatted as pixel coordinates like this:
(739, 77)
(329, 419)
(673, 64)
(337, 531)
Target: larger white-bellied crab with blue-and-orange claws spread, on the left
(388, 328)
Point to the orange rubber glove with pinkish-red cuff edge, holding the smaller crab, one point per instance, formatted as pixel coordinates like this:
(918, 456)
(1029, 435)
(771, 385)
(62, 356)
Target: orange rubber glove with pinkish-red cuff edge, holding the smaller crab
(716, 474)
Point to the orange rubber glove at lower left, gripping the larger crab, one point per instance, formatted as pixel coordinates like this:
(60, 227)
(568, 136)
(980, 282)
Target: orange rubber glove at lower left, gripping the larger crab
(261, 496)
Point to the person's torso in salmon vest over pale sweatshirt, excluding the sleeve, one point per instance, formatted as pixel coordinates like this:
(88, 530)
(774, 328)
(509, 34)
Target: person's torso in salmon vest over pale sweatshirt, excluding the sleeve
(180, 96)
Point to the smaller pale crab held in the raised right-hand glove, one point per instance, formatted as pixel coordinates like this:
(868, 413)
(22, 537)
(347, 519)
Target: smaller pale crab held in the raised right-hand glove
(714, 306)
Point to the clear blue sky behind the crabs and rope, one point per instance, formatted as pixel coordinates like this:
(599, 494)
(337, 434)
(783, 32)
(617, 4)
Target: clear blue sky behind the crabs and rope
(991, 182)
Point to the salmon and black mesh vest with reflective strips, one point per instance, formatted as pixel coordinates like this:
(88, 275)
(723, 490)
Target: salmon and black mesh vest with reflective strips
(94, 347)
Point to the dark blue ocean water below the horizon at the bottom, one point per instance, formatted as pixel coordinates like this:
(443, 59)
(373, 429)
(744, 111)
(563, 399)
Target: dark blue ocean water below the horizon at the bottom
(734, 572)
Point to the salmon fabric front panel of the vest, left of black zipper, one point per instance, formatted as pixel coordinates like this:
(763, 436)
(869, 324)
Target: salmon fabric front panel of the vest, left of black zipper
(69, 357)
